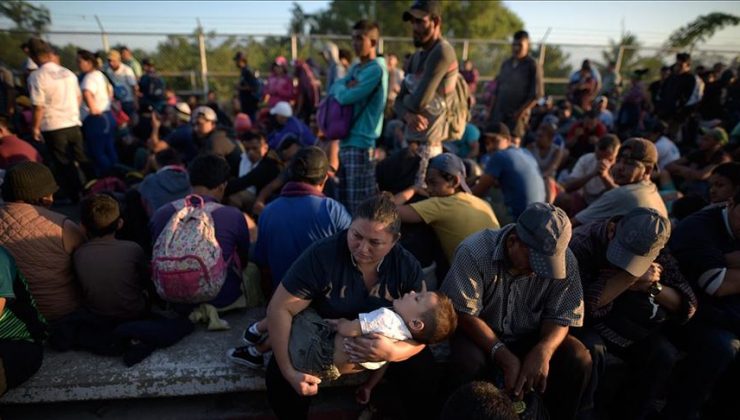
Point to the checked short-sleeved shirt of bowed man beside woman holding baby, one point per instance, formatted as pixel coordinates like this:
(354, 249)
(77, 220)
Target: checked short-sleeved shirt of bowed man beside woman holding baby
(480, 285)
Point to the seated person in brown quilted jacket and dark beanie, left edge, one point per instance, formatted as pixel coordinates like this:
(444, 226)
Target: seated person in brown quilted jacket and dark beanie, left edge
(40, 240)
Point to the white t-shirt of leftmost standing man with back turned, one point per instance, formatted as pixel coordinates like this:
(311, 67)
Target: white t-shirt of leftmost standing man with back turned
(56, 89)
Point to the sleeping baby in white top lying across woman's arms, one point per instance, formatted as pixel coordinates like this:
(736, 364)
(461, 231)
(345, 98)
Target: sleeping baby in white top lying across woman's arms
(316, 344)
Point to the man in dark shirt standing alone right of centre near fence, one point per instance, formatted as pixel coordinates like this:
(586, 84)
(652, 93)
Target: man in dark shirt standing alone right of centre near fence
(519, 85)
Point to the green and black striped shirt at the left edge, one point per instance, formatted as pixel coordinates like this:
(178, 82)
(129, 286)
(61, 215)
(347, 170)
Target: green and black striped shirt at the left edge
(14, 288)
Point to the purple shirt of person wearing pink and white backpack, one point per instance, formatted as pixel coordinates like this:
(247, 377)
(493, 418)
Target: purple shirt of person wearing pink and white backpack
(232, 234)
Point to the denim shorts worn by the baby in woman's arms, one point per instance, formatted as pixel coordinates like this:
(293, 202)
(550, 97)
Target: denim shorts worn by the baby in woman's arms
(311, 346)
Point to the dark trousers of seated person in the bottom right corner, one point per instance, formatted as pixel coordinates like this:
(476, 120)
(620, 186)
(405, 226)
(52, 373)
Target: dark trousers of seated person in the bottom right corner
(711, 352)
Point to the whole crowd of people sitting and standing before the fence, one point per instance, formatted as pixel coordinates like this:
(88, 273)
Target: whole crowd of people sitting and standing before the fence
(534, 236)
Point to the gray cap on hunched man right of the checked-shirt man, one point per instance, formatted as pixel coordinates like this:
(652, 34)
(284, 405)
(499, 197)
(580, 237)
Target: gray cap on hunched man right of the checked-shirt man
(639, 237)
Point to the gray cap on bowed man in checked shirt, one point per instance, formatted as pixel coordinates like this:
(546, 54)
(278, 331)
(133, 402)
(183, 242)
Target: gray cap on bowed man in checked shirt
(546, 231)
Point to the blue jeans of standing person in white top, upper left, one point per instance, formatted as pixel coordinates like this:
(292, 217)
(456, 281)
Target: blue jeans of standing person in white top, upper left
(99, 132)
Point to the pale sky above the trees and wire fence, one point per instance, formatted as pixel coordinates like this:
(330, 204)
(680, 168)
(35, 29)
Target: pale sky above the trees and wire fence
(577, 22)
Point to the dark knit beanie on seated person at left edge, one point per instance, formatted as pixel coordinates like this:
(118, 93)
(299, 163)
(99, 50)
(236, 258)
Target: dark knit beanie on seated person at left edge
(28, 181)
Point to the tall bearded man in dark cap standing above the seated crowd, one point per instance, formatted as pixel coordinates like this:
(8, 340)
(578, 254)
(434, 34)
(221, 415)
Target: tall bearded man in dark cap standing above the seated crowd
(430, 79)
